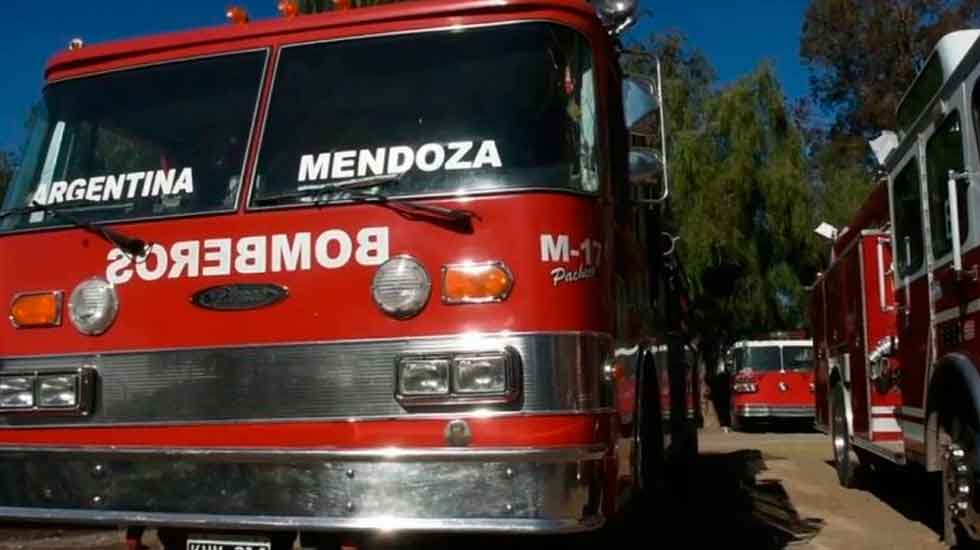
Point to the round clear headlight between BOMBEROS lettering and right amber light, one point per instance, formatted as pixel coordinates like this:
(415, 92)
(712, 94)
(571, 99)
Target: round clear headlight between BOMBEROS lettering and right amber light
(401, 287)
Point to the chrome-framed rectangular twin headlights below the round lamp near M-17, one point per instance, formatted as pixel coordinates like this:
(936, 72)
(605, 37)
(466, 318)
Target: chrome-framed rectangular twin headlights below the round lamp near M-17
(459, 378)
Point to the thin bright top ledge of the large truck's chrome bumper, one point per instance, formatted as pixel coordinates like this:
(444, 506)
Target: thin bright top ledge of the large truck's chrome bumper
(291, 456)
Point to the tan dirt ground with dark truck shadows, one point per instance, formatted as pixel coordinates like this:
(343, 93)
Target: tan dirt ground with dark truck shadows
(758, 490)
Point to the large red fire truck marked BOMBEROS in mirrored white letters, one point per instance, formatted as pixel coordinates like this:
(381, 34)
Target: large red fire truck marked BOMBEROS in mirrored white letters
(392, 268)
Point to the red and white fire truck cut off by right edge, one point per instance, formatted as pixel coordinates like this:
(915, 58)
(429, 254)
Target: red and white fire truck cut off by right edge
(894, 316)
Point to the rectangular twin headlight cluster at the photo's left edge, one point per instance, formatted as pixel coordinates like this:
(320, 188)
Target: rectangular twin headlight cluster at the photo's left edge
(63, 392)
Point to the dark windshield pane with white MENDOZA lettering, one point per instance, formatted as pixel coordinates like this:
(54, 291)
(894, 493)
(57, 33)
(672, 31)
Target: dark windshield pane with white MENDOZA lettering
(456, 111)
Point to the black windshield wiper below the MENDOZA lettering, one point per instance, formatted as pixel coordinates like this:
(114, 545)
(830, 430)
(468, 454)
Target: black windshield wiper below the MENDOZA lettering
(351, 190)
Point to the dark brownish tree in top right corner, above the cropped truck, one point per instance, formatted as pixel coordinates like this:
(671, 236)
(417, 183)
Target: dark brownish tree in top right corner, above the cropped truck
(863, 54)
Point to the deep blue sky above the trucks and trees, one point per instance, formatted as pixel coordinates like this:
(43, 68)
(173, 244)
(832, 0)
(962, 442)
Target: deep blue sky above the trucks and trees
(735, 36)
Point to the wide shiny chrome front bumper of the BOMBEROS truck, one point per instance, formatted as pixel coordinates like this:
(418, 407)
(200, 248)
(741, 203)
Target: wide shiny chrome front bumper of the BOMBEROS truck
(447, 490)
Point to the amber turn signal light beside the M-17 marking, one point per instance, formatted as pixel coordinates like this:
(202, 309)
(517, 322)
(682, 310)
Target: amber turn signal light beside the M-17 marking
(476, 283)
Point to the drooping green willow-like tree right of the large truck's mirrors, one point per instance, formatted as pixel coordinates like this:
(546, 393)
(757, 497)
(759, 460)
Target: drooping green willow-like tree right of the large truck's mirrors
(741, 202)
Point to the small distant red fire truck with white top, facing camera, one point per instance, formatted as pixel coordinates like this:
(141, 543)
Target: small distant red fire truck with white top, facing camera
(772, 380)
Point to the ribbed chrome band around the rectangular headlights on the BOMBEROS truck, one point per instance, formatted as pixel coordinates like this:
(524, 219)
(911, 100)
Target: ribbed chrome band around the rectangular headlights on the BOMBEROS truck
(356, 380)
